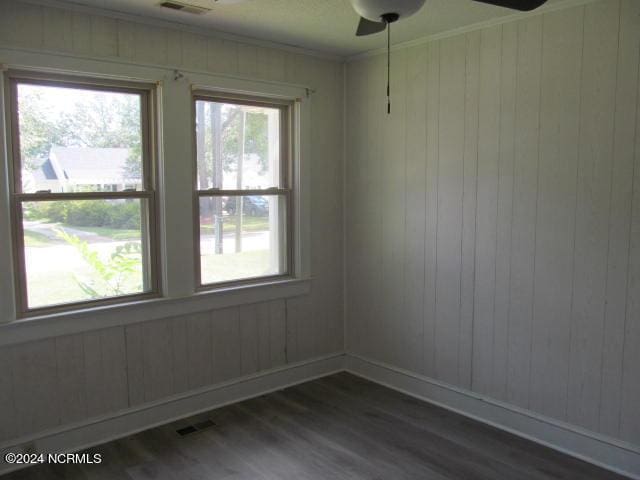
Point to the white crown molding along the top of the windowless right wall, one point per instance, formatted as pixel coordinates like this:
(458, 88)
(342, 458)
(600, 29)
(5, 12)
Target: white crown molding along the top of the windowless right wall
(562, 5)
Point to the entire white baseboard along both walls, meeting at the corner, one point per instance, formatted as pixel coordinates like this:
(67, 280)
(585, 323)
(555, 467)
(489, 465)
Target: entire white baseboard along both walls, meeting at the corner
(608, 453)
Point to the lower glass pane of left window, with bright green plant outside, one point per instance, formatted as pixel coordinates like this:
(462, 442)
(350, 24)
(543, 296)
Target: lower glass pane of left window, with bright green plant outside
(80, 250)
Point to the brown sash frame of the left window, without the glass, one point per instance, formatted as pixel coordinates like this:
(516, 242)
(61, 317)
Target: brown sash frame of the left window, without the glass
(150, 234)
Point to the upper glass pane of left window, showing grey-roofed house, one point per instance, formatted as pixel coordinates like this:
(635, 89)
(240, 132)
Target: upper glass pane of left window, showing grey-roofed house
(79, 140)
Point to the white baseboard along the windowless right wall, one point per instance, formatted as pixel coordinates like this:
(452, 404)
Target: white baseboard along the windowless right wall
(608, 453)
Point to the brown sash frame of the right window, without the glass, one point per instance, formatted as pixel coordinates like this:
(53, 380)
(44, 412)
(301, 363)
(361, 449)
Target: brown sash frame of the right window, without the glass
(287, 188)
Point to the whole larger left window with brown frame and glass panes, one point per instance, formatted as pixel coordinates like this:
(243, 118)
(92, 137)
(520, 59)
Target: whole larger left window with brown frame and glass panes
(82, 192)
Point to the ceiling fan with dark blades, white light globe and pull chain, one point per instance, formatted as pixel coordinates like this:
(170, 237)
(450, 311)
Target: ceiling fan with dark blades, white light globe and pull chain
(378, 15)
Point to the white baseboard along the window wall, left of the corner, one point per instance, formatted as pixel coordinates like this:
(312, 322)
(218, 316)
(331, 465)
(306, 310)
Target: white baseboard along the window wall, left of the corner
(120, 424)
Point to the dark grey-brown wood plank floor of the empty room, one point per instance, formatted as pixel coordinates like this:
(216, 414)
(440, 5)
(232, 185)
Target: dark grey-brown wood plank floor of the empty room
(339, 427)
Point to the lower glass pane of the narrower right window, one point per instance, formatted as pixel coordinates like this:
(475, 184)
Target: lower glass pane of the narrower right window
(242, 237)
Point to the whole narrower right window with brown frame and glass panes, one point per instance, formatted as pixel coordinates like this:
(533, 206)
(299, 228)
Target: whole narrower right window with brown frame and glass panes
(243, 189)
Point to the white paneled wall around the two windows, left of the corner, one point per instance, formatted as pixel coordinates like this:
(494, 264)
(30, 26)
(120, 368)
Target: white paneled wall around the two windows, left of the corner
(56, 381)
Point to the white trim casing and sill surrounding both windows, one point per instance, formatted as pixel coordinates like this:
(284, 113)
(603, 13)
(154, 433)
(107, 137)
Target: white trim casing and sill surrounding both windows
(175, 199)
